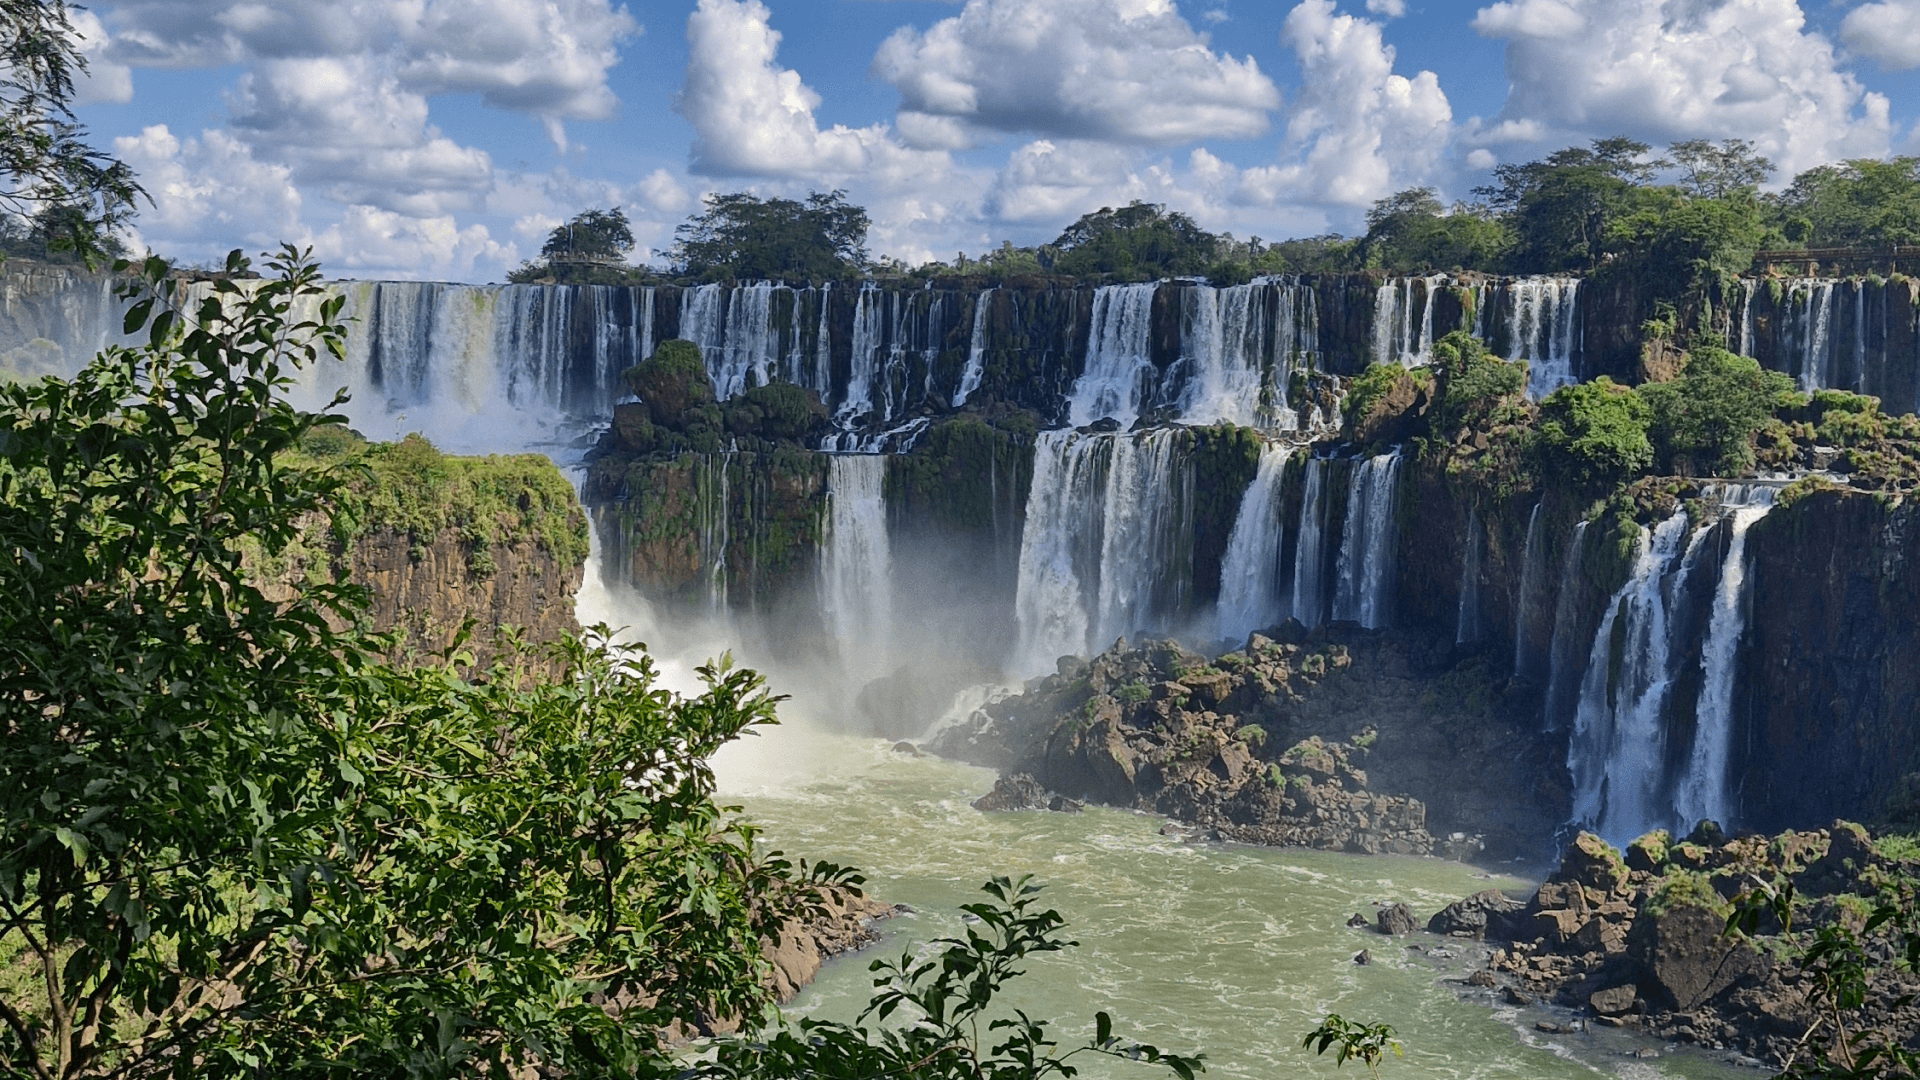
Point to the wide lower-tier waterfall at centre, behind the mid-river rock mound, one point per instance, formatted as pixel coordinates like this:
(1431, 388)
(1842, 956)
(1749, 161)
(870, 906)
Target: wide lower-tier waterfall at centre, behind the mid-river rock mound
(1105, 547)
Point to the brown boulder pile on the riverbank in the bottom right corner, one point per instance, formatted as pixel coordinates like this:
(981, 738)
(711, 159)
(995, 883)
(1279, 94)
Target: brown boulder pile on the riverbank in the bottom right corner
(1643, 941)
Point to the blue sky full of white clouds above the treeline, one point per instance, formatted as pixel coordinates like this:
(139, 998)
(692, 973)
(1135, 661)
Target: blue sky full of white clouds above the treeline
(443, 139)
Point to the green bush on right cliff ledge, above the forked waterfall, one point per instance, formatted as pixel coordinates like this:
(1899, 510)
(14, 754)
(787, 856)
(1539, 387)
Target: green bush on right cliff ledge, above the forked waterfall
(1704, 424)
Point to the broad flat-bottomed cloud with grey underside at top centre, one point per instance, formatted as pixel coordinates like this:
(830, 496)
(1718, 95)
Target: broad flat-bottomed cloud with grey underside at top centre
(1111, 70)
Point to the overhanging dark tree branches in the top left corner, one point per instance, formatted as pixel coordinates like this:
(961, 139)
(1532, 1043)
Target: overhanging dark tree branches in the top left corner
(49, 174)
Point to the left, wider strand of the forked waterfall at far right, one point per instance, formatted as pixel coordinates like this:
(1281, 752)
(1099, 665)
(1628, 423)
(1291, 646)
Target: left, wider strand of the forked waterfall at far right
(1620, 733)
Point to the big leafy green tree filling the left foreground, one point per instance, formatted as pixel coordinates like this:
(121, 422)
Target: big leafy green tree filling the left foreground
(237, 845)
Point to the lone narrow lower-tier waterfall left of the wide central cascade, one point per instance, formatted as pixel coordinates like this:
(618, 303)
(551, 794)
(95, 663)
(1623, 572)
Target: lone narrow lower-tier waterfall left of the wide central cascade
(857, 570)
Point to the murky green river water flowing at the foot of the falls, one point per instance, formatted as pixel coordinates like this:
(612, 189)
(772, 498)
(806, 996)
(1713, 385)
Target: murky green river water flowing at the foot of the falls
(1191, 946)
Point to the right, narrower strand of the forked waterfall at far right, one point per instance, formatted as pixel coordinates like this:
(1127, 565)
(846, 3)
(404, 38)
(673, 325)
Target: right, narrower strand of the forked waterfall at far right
(1704, 789)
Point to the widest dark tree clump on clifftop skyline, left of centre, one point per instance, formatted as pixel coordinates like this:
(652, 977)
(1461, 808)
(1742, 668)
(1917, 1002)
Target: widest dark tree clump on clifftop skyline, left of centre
(748, 237)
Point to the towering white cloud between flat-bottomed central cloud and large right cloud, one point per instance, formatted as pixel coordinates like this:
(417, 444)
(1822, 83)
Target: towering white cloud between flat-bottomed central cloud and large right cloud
(1358, 132)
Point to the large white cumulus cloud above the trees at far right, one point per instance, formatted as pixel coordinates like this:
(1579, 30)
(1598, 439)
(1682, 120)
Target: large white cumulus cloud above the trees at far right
(1668, 70)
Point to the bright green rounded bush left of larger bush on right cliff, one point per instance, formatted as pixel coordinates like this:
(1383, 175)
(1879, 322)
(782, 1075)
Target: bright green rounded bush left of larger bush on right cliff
(1593, 435)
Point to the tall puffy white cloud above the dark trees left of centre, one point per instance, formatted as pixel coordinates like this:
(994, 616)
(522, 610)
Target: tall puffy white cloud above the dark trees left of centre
(754, 118)
